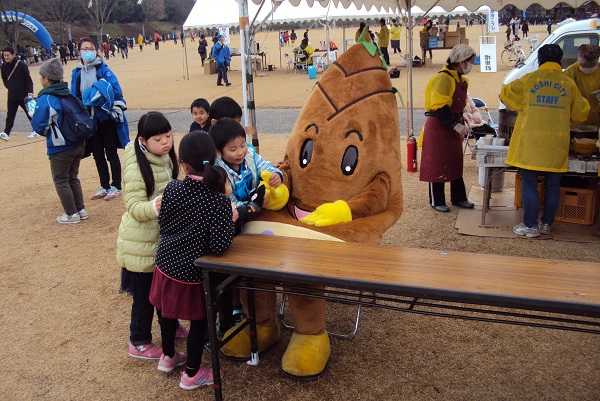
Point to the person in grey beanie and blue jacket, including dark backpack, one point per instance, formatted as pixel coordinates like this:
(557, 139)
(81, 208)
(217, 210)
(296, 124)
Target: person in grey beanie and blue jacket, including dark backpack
(64, 121)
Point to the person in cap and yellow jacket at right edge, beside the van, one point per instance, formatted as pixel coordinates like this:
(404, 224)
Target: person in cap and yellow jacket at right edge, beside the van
(586, 75)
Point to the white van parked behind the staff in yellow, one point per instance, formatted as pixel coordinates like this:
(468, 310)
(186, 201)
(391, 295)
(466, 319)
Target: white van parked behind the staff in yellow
(569, 37)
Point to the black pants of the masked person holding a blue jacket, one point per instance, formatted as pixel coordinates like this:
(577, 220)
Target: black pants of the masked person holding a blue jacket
(104, 146)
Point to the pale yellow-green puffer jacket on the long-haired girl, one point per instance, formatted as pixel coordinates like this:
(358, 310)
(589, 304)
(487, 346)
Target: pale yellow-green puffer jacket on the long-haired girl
(138, 233)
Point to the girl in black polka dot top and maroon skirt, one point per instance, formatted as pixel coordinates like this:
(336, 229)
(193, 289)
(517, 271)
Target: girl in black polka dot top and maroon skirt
(196, 217)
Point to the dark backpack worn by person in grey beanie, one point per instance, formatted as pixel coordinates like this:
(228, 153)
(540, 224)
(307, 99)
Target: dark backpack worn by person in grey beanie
(77, 124)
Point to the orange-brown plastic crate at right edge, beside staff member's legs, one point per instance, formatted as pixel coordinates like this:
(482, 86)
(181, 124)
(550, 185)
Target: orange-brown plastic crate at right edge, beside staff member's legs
(578, 205)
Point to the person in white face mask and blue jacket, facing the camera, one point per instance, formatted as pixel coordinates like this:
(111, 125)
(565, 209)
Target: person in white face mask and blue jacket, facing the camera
(99, 89)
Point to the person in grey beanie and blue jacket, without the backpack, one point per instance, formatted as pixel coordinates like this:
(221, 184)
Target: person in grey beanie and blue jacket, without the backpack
(64, 157)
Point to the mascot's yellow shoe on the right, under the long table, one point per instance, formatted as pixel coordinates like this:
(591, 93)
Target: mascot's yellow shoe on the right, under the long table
(306, 356)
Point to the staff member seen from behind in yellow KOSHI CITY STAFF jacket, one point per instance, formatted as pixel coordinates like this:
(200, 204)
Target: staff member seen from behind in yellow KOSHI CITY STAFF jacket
(547, 101)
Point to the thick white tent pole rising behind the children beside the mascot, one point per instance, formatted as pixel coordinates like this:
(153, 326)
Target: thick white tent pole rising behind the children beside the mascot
(247, 77)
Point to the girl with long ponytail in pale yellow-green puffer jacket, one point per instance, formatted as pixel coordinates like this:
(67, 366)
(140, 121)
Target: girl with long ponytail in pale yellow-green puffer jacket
(149, 163)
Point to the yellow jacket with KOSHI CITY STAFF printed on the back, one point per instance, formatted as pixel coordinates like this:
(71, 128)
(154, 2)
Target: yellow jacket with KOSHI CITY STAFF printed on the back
(547, 101)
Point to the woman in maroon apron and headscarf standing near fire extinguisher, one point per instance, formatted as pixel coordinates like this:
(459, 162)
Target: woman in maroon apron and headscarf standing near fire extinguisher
(444, 130)
